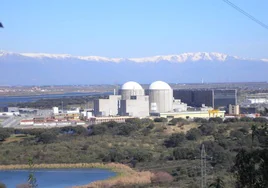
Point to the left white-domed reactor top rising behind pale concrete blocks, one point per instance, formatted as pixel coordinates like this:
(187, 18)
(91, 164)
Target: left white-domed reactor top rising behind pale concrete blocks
(130, 89)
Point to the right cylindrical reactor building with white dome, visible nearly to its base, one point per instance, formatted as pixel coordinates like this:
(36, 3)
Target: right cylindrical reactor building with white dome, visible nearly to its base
(160, 97)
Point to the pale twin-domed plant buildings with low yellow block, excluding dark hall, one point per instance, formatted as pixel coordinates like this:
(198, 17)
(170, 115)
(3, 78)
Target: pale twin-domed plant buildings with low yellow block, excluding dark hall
(157, 101)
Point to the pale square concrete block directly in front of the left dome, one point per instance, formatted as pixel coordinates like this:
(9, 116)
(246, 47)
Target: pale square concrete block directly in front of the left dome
(136, 106)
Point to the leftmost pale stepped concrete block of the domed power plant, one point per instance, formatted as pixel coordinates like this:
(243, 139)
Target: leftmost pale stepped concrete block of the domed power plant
(107, 107)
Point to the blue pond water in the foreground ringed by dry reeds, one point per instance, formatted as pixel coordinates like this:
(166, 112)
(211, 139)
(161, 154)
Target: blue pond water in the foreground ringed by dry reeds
(55, 178)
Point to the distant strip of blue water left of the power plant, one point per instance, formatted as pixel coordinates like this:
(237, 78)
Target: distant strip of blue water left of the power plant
(6, 100)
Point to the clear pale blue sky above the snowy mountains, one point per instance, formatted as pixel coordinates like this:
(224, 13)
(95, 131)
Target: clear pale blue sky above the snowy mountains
(133, 28)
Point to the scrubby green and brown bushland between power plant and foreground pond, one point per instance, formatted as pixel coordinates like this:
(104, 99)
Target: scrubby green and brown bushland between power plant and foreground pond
(236, 149)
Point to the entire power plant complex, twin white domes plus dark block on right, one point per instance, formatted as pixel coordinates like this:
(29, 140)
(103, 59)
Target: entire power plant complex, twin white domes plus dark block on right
(159, 101)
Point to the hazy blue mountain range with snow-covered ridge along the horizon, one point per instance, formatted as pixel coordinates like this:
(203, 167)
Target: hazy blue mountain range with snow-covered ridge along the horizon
(42, 68)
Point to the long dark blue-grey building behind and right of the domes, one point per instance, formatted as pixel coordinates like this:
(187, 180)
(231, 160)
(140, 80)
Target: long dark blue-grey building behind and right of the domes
(215, 98)
